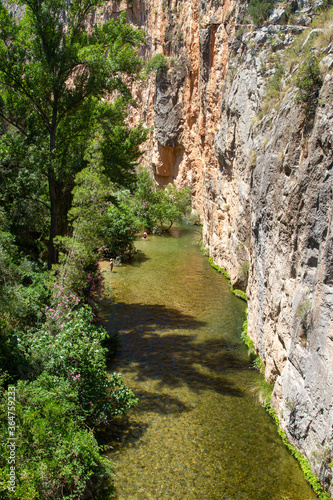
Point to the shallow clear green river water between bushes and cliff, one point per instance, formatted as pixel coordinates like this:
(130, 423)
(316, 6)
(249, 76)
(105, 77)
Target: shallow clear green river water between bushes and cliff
(198, 432)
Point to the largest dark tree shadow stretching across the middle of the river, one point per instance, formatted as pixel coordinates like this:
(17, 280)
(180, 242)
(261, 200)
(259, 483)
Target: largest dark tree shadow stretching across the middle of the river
(150, 343)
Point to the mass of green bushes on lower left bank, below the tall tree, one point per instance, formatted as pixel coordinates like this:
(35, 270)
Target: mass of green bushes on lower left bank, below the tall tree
(59, 353)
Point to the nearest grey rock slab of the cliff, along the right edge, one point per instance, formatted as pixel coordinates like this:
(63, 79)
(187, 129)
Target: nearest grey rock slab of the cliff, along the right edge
(291, 286)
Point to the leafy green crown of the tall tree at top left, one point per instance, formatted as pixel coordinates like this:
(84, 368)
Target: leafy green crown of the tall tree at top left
(53, 68)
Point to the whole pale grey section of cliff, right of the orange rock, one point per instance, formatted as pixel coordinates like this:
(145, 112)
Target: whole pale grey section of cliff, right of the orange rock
(276, 168)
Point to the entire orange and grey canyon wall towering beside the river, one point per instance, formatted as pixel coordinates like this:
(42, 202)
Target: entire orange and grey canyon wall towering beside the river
(260, 171)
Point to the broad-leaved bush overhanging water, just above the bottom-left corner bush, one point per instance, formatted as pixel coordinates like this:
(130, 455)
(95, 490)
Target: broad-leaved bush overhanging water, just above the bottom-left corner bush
(70, 346)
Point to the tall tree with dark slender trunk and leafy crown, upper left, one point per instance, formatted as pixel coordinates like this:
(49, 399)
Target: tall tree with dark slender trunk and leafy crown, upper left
(53, 74)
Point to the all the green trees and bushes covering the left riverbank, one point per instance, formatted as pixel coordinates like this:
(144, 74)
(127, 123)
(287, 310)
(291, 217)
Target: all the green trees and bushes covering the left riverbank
(68, 196)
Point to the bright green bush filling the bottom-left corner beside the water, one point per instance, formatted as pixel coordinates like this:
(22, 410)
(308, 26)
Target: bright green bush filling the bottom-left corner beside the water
(55, 457)
